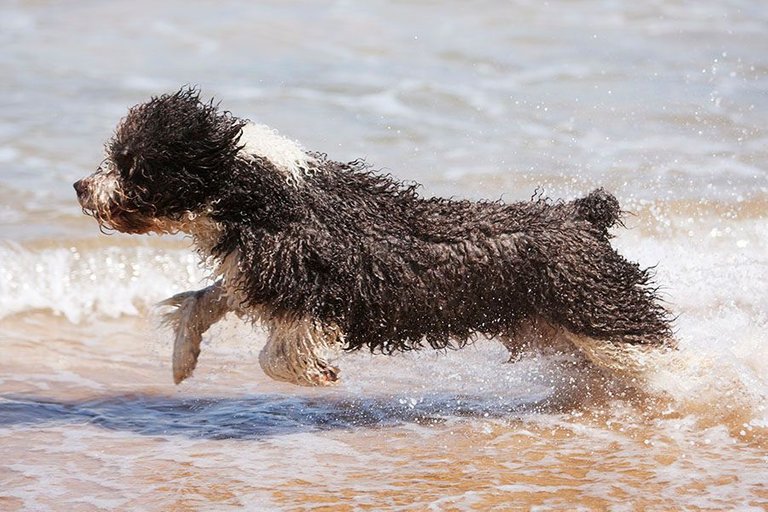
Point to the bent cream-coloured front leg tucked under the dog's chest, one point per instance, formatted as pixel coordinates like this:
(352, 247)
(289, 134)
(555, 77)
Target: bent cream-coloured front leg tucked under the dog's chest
(298, 350)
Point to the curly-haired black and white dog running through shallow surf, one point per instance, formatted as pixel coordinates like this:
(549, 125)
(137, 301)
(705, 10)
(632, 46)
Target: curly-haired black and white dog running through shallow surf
(331, 255)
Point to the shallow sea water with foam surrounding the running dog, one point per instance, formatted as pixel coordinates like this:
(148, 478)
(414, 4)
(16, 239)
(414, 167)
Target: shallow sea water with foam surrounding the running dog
(664, 102)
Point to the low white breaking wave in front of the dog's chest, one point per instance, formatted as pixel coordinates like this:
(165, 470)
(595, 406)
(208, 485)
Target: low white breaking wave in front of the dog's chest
(79, 282)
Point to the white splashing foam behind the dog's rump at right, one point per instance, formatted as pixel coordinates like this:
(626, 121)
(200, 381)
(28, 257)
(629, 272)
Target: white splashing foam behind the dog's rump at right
(717, 287)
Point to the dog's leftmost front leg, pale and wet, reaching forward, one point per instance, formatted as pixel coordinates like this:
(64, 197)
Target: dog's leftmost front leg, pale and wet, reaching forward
(194, 313)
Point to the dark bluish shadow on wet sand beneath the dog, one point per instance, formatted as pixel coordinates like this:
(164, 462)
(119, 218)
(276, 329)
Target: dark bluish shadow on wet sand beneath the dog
(260, 416)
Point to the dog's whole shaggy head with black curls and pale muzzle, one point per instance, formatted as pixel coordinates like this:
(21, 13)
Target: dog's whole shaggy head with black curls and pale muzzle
(163, 165)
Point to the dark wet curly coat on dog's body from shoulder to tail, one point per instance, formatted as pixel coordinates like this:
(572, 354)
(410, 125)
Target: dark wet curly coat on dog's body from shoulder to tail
(394, 269)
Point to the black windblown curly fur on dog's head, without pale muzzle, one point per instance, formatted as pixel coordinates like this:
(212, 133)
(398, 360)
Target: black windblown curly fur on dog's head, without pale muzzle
(173, 150)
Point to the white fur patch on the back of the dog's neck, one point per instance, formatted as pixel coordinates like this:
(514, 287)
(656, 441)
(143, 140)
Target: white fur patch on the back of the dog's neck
(285, 154)
